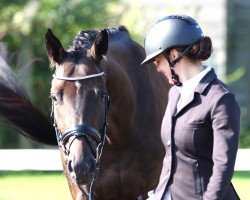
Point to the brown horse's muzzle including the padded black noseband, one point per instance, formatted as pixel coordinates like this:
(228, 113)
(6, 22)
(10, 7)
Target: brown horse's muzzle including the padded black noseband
(80, 145)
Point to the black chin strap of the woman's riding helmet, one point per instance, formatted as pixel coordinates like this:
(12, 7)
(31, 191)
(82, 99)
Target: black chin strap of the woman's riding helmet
(175, 77)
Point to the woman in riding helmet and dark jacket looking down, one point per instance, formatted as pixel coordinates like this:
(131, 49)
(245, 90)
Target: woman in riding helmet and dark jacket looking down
(200, 129)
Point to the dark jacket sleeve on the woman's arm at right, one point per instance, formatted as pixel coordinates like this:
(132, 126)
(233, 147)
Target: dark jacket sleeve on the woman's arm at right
(225, 117)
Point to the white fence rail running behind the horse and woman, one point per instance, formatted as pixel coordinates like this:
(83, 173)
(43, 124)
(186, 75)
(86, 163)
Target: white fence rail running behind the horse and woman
(50, 160)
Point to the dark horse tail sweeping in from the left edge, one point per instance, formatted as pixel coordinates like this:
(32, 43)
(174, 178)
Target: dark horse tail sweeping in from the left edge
(17, 109)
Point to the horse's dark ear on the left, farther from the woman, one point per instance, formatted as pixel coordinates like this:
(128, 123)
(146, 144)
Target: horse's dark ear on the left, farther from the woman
(54, 48)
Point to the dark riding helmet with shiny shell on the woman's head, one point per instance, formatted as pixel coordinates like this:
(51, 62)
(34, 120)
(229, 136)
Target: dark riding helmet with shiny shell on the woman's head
(171, 31)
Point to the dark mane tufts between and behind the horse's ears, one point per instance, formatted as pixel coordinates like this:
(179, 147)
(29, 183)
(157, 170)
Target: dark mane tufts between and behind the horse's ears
(85, 38)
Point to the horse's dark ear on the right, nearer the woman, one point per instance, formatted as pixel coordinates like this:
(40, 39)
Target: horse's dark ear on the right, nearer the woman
(100, 46)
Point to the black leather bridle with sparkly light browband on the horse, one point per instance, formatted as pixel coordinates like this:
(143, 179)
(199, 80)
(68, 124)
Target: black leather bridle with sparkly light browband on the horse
(94, 138)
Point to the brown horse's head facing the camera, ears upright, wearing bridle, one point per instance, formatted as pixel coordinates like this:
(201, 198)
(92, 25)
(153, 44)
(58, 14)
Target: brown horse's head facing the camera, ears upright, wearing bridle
(79, 103)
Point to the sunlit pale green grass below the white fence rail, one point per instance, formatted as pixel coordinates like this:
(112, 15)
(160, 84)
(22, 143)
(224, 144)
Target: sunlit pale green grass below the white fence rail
(53, 185)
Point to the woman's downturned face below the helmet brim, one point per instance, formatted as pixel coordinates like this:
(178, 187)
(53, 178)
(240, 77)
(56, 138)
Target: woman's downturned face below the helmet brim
(163, 66)
